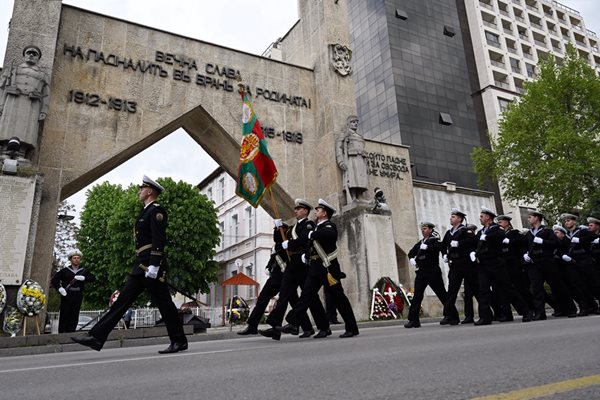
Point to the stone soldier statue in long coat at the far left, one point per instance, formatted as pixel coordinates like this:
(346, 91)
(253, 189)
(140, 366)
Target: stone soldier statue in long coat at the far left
(23, 101)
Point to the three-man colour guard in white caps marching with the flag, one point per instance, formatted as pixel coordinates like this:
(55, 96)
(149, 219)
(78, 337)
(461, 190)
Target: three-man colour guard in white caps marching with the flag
(307, 254)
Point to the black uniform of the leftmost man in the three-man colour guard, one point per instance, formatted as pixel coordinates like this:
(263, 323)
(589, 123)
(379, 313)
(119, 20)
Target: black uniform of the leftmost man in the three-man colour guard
(276, 267)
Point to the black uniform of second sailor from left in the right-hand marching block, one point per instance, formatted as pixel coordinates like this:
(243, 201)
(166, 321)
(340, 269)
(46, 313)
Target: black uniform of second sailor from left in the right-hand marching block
(461, 268)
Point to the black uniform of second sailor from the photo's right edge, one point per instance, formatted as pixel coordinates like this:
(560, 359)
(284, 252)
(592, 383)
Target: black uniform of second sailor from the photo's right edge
(585, 267)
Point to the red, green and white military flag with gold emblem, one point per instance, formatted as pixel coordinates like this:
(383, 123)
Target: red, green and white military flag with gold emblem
(257, 171)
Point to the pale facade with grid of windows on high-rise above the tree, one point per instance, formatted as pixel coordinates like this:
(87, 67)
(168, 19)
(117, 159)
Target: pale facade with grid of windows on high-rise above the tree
(509, 39)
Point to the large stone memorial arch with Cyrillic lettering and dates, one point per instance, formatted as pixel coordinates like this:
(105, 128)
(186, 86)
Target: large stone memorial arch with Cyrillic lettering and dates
(116, 88)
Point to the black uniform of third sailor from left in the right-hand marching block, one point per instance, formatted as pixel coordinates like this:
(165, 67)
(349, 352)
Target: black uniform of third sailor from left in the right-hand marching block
(492, 273)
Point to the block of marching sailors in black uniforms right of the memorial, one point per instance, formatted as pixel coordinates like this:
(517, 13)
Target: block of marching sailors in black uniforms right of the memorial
(503, 267)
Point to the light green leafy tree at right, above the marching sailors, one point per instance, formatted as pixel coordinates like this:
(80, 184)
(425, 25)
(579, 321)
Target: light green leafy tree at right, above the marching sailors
(547, 151)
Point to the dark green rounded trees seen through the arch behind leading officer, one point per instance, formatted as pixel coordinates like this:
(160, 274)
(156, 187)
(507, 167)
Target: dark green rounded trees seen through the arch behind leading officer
(106, 237)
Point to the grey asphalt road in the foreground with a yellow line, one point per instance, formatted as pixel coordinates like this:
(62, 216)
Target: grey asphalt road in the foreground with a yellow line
(432, 362)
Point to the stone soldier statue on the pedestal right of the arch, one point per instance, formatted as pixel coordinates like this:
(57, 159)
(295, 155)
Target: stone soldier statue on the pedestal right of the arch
(351, 156)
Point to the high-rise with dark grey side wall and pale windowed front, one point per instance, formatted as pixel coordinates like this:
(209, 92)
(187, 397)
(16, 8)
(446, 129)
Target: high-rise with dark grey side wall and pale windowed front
(436, 75)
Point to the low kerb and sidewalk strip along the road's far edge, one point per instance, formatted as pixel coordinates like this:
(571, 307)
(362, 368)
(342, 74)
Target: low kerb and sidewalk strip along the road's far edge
(58, 343)
